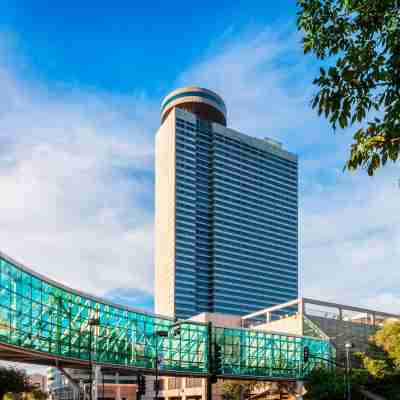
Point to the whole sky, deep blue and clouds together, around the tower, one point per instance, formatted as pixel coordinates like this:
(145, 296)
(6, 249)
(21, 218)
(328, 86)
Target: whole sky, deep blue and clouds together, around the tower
(81, 86)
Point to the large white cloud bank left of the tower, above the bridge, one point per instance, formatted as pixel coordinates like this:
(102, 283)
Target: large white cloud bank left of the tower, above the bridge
(75, 191)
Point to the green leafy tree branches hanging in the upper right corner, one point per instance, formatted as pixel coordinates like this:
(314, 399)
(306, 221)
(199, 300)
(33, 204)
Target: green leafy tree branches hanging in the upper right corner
(359, 81)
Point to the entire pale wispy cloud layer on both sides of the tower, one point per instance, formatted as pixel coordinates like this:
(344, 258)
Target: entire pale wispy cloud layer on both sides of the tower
(77, 188)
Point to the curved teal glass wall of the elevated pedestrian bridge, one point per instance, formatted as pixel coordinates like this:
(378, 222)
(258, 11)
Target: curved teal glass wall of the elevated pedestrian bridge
(39, 317)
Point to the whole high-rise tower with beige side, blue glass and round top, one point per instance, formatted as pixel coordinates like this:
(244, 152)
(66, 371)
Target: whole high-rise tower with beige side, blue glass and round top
(226, 213)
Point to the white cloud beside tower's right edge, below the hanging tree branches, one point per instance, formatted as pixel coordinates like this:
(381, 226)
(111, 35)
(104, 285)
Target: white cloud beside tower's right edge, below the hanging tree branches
(351, 241)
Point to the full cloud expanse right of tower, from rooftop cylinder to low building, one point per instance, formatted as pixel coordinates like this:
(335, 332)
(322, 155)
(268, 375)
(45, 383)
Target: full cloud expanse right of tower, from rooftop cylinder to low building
(350, 224)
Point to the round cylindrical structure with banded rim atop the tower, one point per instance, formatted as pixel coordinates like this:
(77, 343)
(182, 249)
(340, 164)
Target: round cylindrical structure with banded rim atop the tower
(203, 102)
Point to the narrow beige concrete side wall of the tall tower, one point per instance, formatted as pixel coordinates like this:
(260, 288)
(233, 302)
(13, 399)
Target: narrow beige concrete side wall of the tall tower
(165, 217)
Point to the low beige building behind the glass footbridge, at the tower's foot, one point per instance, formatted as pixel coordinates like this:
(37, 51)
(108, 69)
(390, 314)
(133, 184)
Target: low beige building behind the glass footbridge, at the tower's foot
(303, 317)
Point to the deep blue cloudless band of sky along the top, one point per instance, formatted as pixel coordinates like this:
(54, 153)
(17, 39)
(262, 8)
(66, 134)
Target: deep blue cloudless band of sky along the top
(127, 46)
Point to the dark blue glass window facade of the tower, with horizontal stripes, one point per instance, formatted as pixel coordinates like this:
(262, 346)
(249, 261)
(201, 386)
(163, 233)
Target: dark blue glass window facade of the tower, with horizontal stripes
(236, 240)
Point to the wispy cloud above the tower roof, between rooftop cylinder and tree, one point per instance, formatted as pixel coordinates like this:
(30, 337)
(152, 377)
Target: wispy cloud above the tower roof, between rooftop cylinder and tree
(260, 76)
